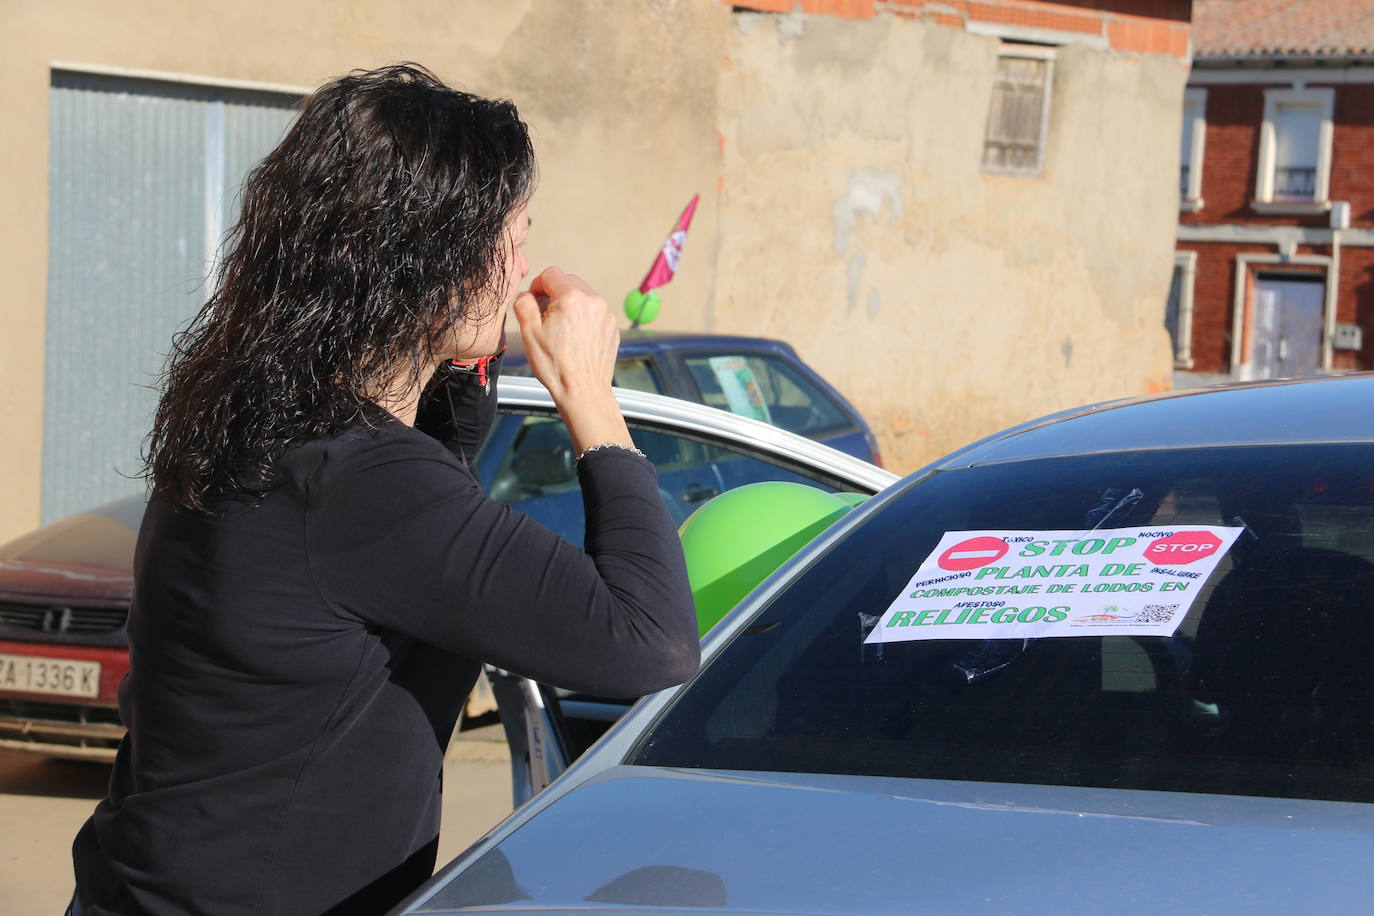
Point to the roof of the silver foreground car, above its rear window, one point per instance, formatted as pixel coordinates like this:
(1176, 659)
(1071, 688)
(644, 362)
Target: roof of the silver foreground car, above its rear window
(1281, 413)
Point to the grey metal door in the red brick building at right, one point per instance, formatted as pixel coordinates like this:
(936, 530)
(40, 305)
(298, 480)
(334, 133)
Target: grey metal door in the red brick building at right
(1287, 330)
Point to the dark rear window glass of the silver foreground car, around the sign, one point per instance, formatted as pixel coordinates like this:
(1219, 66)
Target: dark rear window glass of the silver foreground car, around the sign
(1265, 689)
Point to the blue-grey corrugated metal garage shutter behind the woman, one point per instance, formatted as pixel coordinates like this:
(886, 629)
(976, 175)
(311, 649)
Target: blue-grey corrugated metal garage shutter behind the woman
(142, 186)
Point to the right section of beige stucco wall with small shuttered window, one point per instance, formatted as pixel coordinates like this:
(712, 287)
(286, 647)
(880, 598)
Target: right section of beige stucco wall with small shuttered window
(946, 303)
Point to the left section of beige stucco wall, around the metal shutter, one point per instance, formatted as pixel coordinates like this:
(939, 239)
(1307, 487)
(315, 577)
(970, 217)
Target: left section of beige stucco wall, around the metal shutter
(620, 98)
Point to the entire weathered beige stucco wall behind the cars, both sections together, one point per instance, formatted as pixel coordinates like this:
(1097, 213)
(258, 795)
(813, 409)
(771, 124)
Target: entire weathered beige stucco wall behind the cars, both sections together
(844, 208)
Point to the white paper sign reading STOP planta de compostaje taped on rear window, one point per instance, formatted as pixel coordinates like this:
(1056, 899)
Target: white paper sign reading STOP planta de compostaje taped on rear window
(1123, 582)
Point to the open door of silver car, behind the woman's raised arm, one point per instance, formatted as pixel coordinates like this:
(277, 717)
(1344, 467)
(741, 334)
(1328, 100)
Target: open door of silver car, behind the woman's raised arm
(700, 453)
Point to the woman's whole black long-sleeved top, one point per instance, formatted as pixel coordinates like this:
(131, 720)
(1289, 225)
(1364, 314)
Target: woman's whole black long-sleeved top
(297, 665)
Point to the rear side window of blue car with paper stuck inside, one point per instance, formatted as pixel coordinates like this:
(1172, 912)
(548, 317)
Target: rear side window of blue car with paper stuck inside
(765, 389)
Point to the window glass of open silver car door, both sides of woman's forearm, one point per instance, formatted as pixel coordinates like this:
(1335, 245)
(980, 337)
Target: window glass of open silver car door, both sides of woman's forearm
(538, 474)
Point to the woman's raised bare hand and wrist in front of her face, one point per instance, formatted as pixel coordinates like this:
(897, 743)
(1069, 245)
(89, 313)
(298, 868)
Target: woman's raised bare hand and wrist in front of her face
(571, 343)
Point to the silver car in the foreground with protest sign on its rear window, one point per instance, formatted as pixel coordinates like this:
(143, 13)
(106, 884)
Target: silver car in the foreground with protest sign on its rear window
(1203, 746)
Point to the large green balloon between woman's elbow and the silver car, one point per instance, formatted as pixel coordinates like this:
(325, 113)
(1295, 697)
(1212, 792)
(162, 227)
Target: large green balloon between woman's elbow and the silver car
(739, 539)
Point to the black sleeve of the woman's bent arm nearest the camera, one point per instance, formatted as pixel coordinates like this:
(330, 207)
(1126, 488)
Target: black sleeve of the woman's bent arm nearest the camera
(402, 536)
